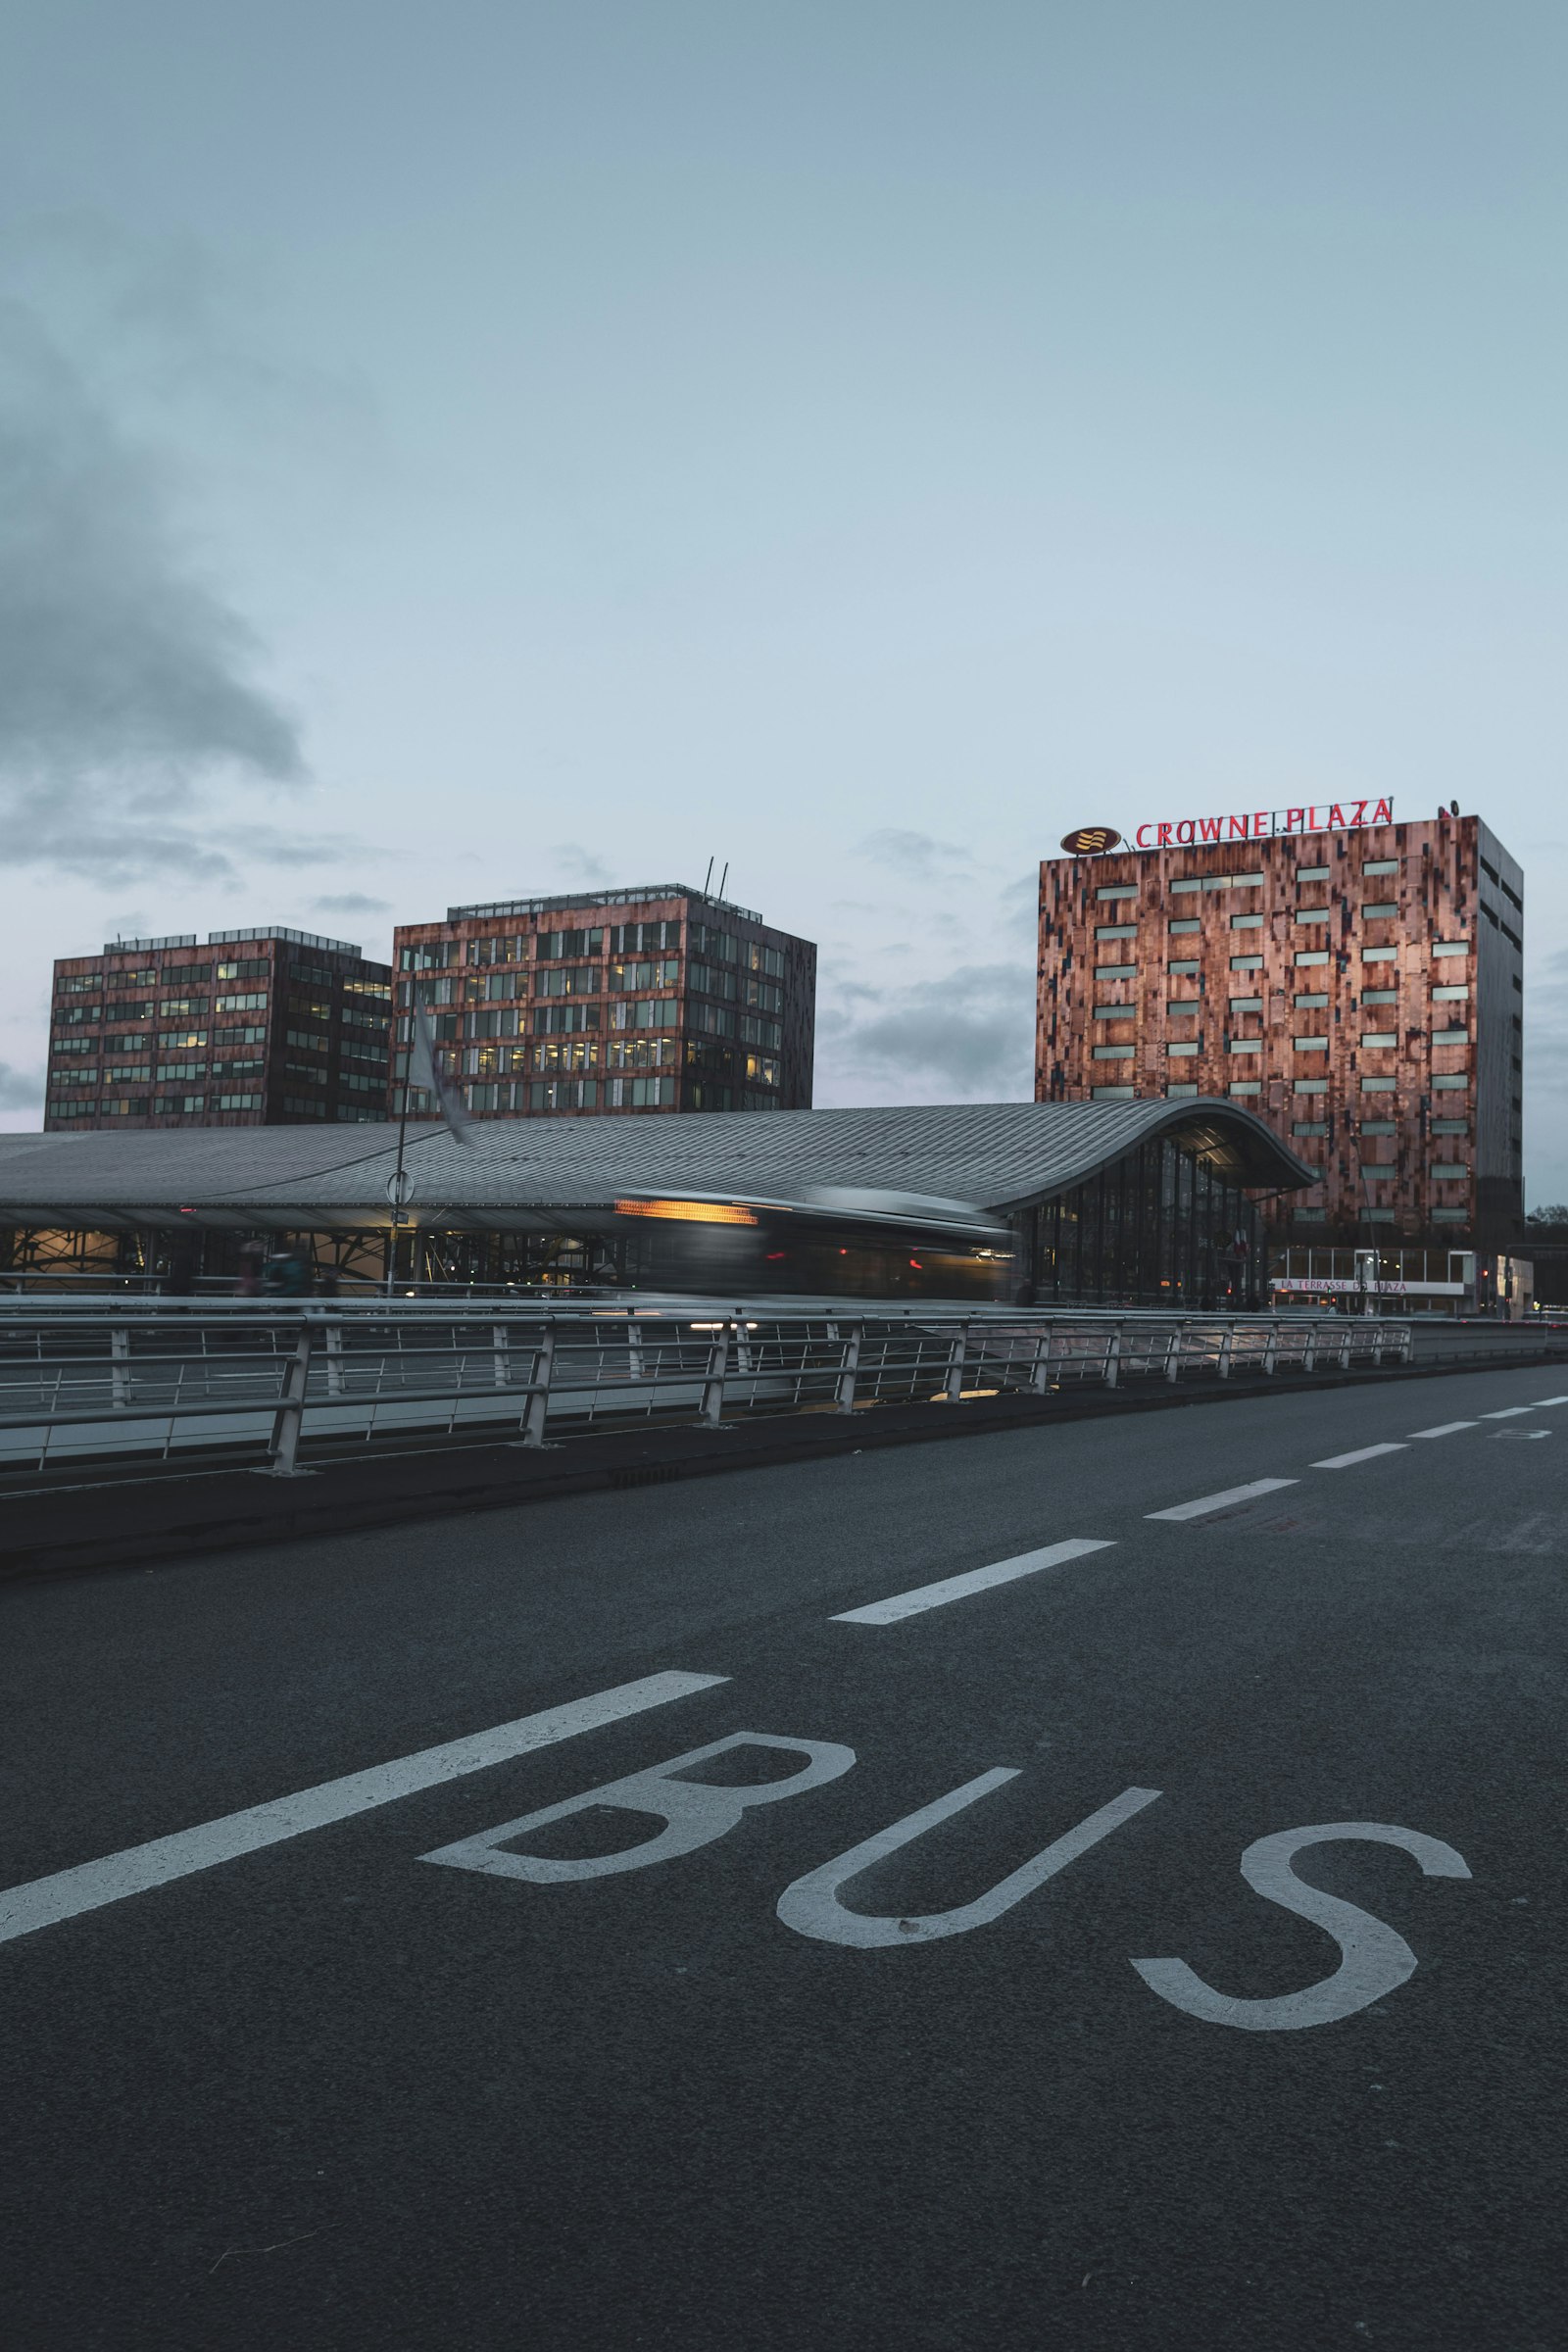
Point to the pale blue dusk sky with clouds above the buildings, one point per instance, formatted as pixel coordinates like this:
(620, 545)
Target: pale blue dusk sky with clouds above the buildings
(469, 453)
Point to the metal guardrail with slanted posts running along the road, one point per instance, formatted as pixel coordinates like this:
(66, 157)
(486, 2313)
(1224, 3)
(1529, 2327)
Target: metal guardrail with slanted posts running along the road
(138, 1377)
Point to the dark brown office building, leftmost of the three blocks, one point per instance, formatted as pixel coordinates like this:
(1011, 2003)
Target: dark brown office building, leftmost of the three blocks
(257, 1029)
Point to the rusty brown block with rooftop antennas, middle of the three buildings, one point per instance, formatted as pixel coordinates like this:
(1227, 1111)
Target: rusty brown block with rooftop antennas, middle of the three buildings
(638, 1001)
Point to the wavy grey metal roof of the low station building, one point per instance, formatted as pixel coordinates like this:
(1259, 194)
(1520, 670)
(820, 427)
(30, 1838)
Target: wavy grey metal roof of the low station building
(965, 1156)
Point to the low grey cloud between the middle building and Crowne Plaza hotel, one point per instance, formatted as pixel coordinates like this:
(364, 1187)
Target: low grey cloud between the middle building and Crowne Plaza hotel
(967, 1036)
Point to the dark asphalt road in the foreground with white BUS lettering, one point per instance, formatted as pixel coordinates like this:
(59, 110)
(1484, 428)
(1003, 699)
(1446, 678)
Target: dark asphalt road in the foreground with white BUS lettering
(768, 2087)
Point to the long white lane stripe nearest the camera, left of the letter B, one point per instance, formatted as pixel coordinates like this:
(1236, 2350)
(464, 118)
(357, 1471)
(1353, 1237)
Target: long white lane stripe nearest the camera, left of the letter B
(130, 1873)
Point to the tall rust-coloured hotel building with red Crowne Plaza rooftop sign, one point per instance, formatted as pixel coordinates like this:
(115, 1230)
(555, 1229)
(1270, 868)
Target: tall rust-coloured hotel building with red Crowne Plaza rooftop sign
(1358, 987)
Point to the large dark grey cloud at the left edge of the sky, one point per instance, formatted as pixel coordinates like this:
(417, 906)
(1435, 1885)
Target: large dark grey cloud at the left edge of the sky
(128, 681)
